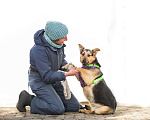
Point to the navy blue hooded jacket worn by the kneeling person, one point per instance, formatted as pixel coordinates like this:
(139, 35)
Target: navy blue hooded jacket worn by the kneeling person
(47, 60)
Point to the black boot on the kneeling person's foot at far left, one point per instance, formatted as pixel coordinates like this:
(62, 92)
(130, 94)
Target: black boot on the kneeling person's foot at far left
(24, 100)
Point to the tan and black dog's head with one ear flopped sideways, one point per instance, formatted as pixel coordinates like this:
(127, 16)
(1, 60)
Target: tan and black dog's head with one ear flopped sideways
(87, 56)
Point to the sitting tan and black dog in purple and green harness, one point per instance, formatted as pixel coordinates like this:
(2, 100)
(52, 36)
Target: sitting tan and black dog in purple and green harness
(100, 97)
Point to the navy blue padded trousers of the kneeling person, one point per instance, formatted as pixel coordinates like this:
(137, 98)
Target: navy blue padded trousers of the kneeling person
(50, 98)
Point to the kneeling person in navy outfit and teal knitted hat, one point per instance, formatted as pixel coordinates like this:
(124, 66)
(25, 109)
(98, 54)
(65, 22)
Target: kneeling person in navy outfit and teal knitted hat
(46, 58)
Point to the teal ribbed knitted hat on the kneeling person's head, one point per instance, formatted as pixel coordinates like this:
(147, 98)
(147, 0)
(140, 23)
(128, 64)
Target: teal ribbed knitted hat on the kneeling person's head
(55, 30)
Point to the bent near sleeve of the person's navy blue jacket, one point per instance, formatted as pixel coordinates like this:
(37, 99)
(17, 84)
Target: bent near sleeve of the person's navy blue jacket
(43, 65)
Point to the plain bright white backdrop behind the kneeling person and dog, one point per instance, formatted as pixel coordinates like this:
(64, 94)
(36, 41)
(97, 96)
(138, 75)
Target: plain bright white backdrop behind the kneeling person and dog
(120, 28)
